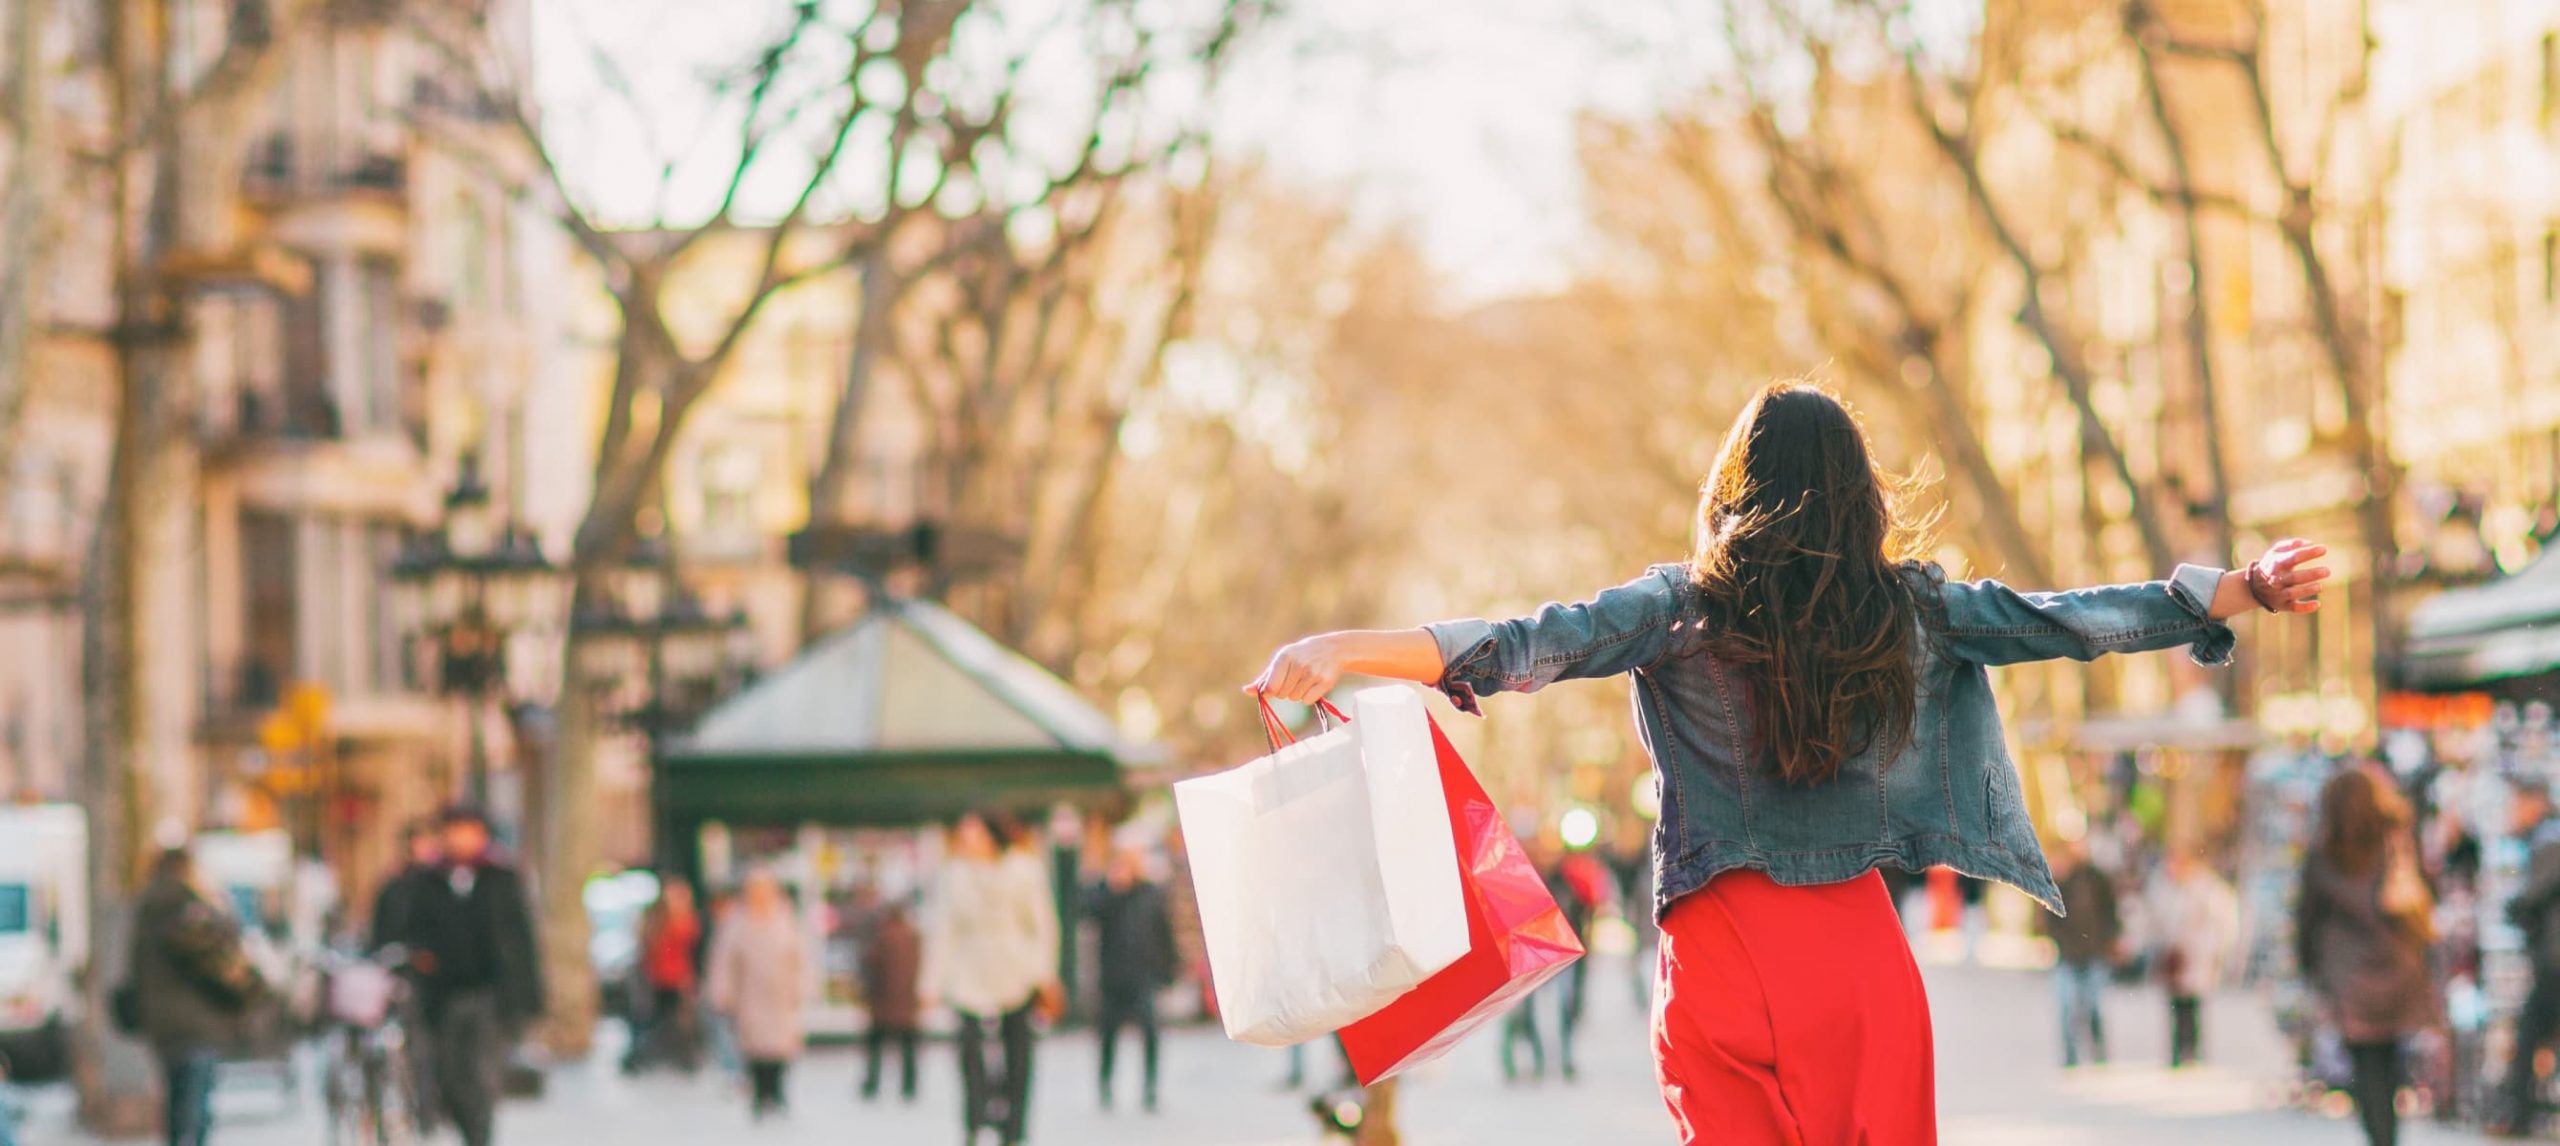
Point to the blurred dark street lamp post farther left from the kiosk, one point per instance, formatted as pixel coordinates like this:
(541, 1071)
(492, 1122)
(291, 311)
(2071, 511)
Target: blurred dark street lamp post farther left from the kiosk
(470, 587)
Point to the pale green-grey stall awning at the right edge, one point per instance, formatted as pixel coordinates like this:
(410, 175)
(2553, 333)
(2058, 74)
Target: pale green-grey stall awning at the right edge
(2487, 633)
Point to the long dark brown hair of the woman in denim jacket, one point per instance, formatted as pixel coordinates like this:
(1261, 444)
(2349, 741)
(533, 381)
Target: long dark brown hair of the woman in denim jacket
(1801, 567)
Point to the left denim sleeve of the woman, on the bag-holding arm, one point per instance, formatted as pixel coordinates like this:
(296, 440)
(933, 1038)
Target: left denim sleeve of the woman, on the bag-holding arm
(1614, 633)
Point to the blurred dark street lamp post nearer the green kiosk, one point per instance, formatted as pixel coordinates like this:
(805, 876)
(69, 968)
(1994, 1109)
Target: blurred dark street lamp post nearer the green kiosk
(657, 633)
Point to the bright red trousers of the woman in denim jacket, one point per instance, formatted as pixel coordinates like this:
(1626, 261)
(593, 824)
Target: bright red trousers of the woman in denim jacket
(1793, 1017)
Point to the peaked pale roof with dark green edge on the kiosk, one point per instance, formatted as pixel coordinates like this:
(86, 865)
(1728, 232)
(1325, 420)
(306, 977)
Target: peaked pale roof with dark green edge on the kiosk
(908, 718)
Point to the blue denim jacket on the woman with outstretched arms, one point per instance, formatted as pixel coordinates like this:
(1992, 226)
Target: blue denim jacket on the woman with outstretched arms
(1952, 797)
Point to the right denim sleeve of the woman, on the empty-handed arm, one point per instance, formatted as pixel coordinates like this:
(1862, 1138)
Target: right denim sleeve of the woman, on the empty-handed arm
(1996, 625)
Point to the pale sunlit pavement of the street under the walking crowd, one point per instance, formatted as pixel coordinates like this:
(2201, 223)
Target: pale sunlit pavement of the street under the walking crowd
(1996, 1065)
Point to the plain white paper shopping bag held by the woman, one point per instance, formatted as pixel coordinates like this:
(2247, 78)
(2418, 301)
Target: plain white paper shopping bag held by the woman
(1327, 874)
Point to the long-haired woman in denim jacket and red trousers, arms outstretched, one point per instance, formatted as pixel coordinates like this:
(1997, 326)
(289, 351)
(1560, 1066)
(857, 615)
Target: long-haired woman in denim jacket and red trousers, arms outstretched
(1816, 705)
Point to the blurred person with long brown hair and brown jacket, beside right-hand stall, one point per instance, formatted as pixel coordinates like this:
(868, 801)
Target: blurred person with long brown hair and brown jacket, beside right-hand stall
(2364, 955)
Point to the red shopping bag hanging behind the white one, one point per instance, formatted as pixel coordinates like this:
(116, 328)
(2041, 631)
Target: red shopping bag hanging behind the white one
(1517, 940)
